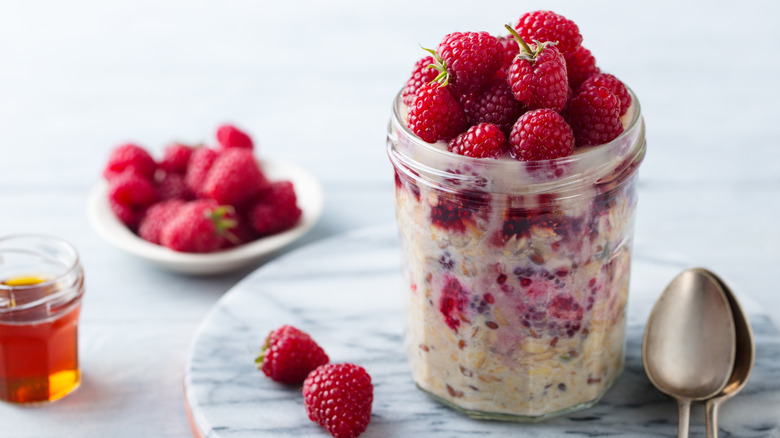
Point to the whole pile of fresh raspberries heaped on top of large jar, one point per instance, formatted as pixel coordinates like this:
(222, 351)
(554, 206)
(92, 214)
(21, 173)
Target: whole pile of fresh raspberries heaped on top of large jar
(534, 93)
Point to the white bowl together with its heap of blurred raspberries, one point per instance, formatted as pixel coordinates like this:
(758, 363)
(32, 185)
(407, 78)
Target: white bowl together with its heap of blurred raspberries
(202, 210)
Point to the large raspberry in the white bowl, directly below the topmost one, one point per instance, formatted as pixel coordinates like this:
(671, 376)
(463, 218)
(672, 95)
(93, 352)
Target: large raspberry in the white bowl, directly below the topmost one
(234, 177)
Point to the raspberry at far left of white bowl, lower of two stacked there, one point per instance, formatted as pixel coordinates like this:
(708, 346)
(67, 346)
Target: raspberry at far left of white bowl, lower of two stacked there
(130, 194)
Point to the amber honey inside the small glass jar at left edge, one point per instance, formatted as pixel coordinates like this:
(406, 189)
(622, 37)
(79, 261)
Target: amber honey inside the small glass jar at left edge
(38, 346)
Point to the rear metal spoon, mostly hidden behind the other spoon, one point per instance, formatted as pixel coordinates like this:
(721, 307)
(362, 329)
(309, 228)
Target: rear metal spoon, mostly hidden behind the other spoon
(743, 362)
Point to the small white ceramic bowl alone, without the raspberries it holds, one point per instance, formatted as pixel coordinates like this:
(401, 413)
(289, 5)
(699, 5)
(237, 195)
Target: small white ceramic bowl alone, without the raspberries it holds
(307, 190)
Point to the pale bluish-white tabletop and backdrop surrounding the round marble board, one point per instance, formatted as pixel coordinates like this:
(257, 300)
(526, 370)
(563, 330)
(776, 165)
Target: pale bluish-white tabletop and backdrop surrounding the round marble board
(313, 81)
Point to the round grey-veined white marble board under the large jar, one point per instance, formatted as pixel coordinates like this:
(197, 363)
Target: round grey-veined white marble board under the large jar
(346, 291)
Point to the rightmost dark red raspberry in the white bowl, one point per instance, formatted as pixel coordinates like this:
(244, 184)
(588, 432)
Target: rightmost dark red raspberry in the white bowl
(275, 210)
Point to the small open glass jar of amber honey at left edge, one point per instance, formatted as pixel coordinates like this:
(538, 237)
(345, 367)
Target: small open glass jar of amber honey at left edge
(41, 286)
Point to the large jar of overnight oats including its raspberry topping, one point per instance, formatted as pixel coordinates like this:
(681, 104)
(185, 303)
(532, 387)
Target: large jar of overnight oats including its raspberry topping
(516, 215)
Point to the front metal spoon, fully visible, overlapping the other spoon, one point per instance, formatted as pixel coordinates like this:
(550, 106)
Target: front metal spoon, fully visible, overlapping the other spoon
(689, 342)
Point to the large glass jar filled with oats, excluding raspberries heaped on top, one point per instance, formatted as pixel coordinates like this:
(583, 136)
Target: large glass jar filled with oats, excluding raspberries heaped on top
(516, 273)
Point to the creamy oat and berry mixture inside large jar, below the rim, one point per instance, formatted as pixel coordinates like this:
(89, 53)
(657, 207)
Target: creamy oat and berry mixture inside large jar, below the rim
(516, 305)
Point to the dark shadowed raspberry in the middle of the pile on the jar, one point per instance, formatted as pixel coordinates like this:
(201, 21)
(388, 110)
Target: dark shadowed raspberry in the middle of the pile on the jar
(495, 103)
